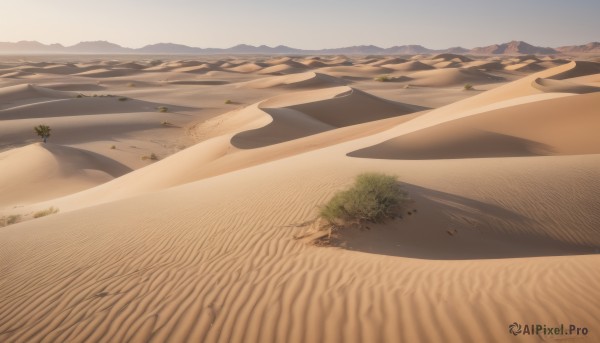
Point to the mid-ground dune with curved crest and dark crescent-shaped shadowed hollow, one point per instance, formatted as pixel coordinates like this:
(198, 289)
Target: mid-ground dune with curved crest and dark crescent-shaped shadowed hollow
(265, 127)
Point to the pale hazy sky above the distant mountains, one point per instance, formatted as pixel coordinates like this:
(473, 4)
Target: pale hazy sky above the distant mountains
(307, 24)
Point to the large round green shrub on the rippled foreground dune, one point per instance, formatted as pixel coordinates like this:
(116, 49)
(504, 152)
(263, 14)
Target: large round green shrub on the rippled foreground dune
(373, 198)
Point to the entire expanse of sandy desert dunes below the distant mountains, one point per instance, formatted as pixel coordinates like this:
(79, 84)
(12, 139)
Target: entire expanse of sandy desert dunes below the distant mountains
(175, 198)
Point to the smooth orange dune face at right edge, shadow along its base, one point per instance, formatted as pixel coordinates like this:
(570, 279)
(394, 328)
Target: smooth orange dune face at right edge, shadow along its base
(569, 125)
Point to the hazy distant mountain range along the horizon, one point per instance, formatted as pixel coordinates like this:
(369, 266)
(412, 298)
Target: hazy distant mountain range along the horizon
(103, 47)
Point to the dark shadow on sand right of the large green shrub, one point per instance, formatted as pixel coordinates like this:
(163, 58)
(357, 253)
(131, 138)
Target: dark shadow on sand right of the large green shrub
(450, 227)
